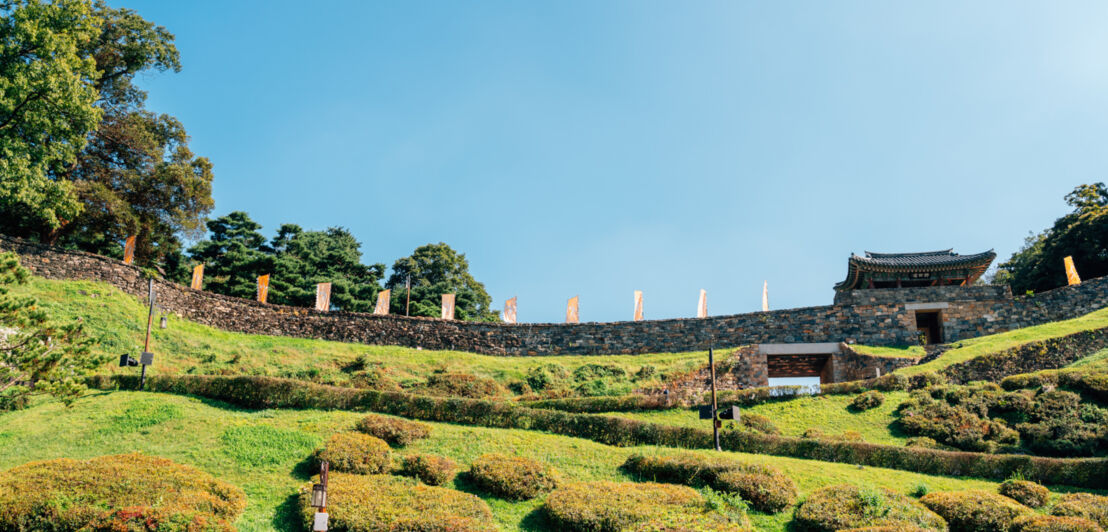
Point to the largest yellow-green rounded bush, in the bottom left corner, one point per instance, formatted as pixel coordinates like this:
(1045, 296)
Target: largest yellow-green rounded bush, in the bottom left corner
(69, 495)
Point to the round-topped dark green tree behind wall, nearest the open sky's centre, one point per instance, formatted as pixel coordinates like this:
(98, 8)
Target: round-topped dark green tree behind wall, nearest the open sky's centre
(437, 270)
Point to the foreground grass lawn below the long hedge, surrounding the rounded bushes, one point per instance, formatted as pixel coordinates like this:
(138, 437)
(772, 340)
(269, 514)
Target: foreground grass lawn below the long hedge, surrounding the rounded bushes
(264, 452)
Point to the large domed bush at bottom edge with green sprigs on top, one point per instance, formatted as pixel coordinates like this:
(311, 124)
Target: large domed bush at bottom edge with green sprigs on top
(849, 507)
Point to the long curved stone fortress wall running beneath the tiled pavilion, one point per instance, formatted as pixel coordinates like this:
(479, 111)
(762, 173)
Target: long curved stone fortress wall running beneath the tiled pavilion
(871, 318)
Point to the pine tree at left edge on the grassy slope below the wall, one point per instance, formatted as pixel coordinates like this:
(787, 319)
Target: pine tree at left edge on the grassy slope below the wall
(37, 354)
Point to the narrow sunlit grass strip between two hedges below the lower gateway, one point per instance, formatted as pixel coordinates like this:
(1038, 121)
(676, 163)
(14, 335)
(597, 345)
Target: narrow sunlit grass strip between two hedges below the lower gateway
(828, 414)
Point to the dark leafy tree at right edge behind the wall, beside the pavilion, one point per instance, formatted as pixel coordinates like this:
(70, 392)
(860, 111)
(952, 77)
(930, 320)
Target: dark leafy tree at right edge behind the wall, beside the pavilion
(1082, 234)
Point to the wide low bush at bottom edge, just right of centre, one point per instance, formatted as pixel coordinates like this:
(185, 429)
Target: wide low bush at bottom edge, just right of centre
(614, 507)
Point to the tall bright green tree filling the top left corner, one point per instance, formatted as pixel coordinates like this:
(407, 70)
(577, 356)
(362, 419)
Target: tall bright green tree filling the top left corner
(47, 109)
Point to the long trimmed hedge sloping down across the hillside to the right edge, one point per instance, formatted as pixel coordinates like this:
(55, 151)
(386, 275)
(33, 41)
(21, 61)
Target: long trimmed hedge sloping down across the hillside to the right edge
(273, 393)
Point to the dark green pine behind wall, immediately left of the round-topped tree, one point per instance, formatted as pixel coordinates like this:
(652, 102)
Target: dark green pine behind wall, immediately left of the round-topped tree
(303, 259)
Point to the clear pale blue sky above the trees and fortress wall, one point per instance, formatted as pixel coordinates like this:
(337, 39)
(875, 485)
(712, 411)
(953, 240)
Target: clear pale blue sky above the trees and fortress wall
(598, 148)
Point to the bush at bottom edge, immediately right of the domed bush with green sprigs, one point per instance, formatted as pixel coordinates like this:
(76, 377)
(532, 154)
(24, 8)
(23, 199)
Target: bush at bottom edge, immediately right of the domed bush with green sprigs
(976, 510)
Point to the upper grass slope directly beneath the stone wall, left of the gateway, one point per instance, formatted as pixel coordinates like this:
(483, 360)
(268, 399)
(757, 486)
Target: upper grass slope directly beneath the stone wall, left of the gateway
(186, 347)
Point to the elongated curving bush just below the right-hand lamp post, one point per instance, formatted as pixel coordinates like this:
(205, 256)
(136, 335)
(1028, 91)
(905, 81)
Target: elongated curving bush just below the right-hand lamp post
(766, 488)
